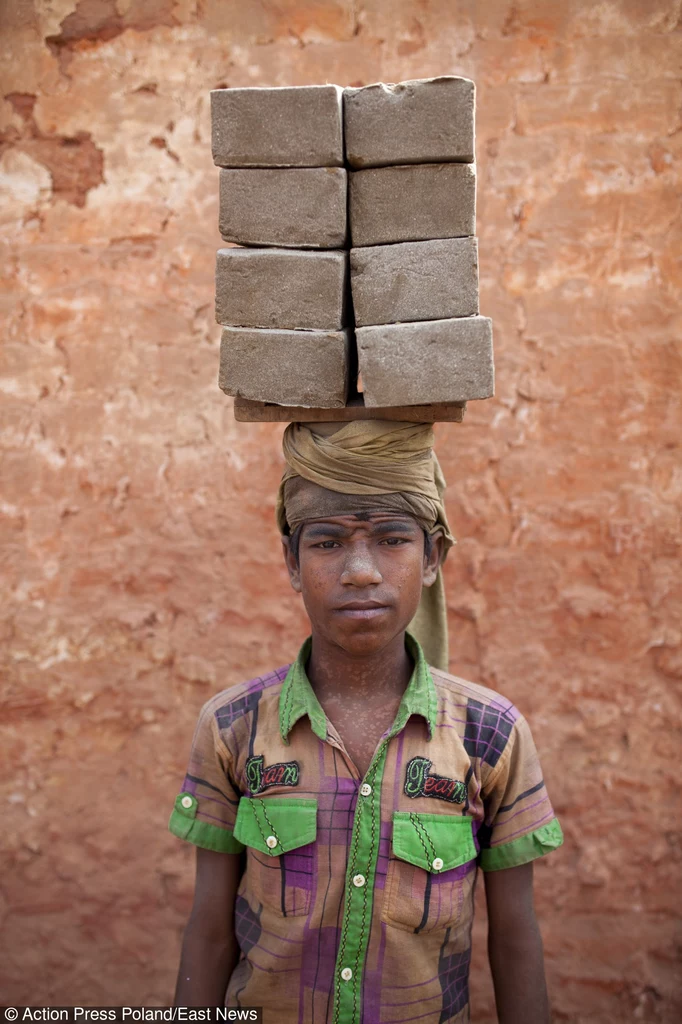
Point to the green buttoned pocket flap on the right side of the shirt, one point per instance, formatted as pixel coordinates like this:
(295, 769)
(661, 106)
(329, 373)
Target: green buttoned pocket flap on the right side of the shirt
(435, 842)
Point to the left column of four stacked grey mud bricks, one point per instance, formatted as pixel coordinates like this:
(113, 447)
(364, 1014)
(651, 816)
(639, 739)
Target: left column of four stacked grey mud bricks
(283, 304)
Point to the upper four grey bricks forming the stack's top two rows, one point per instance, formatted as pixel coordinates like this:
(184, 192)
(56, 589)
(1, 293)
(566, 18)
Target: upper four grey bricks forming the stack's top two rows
(410, 149)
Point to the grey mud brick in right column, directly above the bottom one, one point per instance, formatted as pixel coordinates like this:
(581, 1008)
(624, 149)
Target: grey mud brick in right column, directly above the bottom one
(415, 281)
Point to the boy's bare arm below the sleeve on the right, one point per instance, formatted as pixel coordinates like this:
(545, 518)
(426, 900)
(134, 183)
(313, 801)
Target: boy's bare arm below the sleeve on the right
(516, 948)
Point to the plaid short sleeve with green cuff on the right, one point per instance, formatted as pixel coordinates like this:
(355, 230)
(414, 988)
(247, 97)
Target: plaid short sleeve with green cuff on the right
(521, 824)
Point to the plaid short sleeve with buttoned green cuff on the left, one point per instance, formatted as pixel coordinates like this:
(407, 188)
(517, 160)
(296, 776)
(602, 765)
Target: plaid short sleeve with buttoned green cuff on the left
(205, 809)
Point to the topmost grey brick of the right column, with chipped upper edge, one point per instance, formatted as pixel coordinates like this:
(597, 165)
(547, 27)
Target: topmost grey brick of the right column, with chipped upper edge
(425, 121)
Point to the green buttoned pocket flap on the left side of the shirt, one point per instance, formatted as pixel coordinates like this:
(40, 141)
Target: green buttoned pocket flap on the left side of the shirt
(277, 825)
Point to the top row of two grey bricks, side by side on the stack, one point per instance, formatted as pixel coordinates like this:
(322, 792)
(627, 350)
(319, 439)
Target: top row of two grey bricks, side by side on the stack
(423, 122)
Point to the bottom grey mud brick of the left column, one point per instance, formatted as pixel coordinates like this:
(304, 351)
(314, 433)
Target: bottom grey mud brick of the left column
(290, 368)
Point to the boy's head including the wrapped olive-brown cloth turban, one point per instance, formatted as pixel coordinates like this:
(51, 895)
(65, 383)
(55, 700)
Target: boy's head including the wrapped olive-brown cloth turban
(365, 532)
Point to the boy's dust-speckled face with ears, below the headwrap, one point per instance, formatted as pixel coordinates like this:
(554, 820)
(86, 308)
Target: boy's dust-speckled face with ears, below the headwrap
(362, 576)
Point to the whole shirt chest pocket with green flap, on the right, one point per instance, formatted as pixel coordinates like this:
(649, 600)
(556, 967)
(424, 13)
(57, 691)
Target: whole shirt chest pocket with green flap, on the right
(431, 872)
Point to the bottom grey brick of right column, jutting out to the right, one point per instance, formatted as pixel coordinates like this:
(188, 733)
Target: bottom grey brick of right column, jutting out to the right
(433, 362)
